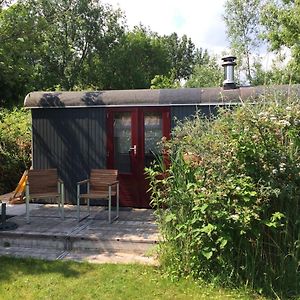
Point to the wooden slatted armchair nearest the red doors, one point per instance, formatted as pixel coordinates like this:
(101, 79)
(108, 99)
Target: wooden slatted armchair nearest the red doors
(102, 184)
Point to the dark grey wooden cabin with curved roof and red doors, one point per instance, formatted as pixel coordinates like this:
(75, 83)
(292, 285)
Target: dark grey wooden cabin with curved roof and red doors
(77, 131)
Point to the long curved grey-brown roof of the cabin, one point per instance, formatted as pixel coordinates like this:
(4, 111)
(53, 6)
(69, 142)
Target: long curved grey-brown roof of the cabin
(184, 96)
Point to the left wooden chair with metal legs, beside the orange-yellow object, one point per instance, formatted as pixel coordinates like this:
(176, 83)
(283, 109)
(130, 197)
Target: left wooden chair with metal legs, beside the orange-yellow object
(43, 184)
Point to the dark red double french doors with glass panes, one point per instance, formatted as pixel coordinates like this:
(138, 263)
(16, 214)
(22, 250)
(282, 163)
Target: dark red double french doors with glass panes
(132, 136)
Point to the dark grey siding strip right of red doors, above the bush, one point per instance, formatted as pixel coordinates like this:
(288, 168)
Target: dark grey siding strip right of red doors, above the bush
(180, 113)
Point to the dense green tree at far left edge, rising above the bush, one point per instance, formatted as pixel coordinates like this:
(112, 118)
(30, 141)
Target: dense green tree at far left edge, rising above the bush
(20, 40)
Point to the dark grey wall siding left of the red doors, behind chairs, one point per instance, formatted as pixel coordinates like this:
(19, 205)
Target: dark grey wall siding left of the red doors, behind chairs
(71, 140)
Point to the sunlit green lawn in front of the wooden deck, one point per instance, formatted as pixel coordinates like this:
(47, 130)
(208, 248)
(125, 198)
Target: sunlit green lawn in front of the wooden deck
(37, 279)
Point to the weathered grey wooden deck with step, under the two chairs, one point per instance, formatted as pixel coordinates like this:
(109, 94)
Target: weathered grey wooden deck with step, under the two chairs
(130, 239)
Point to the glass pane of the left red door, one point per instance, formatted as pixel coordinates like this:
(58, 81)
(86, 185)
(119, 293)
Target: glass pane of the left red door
(122, 141)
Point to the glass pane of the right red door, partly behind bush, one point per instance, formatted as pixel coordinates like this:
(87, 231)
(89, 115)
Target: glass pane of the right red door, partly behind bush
(153, 135)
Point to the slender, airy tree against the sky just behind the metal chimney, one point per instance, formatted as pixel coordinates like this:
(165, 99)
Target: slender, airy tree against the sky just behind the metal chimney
(243, 29)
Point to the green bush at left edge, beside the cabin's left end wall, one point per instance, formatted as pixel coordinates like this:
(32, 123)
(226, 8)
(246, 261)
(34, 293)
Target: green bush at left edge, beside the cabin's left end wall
(15, 147)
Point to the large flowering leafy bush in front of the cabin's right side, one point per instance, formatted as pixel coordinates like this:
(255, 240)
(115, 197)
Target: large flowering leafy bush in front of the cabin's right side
(228, 204)
